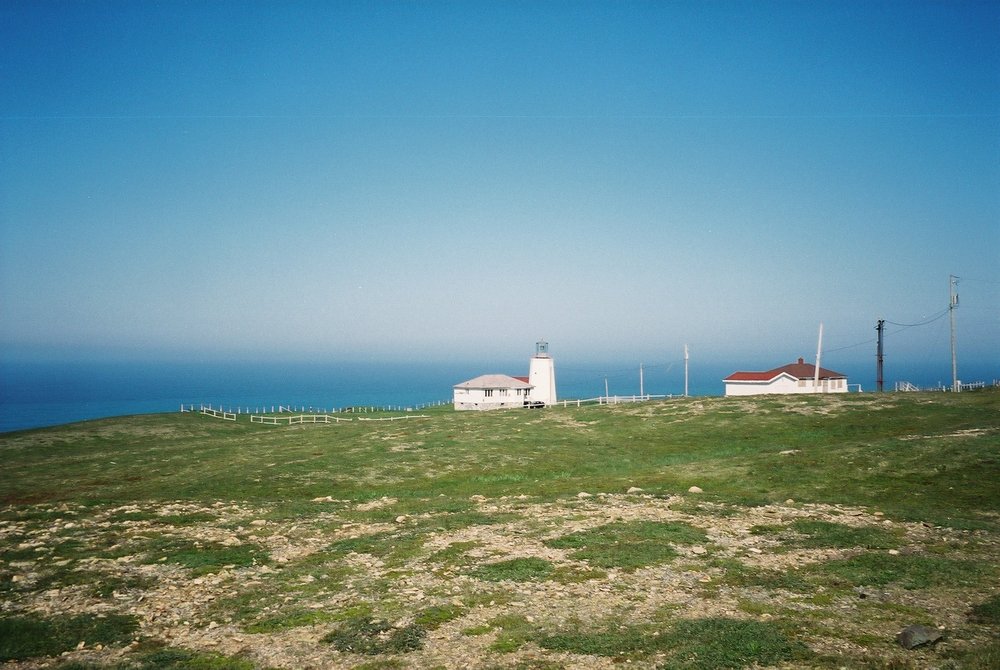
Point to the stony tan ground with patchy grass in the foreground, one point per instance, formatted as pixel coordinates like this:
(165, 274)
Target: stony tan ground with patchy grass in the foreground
(275, 587)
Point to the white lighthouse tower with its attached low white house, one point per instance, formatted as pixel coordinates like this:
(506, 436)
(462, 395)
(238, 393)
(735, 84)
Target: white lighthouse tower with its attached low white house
(496, 391)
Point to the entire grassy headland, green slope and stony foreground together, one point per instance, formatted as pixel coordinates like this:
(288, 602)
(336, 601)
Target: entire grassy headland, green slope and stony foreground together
(819, 528)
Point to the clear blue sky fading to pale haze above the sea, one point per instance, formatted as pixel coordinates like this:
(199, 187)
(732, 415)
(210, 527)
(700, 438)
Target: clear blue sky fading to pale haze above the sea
(458, 179)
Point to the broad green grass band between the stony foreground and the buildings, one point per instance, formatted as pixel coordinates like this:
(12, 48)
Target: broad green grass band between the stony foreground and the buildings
(869, 450)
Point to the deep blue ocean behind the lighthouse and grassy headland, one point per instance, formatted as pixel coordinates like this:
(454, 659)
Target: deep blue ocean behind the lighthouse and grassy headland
(39, 394)
